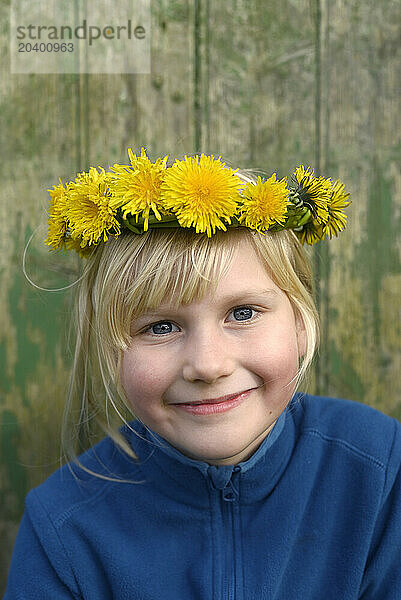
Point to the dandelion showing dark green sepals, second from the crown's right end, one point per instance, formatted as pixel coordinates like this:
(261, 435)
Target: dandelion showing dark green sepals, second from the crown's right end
(313, 192)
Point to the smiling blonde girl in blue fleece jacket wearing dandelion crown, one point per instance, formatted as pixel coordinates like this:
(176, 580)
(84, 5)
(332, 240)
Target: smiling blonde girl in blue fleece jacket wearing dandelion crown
(195, 312)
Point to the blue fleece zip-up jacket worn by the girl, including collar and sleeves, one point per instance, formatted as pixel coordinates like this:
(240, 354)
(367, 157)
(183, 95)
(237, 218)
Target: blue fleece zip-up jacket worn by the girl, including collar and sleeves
(315, 513)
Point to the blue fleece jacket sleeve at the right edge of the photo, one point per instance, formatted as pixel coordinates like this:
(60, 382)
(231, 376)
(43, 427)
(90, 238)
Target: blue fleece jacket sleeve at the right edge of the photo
(382, 576)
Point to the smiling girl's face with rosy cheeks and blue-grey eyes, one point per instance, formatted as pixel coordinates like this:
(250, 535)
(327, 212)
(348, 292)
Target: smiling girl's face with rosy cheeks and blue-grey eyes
(242, 338)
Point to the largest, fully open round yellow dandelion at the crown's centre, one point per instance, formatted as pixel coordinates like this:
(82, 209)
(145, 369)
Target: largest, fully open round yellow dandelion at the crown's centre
(201, 191)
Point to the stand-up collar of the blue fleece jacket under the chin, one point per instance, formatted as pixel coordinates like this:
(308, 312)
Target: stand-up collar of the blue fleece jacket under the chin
(190, 481)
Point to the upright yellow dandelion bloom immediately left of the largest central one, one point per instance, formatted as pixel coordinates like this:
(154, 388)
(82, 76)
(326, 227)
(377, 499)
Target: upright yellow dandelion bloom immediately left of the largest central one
(137, 186)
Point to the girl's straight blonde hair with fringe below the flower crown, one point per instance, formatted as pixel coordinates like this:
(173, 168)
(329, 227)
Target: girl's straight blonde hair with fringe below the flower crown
(133, 273)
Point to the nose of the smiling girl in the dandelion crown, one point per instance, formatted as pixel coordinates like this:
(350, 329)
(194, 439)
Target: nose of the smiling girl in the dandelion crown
(207, 359)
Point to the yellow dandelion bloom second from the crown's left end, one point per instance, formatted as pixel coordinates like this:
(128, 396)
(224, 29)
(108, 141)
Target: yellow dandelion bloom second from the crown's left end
(89, 212)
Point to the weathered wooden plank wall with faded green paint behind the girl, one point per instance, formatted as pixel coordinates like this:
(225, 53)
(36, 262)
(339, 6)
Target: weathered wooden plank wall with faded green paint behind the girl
(264, 84)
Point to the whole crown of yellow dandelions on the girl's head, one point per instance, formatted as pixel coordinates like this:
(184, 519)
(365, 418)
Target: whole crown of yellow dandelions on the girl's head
(198, 192)
